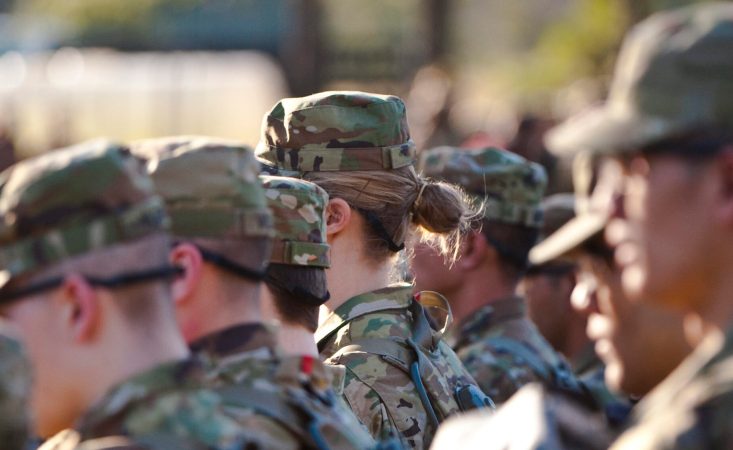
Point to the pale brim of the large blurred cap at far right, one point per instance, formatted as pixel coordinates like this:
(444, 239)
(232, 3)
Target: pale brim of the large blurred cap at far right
(606, 130)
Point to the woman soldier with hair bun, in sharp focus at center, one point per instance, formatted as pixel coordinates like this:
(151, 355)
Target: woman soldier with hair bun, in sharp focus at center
(401, 377)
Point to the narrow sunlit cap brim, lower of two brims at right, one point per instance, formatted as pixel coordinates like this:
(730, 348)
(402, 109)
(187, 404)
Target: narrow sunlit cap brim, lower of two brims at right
(568, 238)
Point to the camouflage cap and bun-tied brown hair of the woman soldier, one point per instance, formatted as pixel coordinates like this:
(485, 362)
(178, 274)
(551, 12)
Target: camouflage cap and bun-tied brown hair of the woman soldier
(357, 147)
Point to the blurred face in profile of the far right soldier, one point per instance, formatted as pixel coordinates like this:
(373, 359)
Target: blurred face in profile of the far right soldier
(661, 230)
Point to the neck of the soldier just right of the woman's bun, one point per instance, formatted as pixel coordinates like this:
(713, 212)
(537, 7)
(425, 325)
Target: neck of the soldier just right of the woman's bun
(480, 288)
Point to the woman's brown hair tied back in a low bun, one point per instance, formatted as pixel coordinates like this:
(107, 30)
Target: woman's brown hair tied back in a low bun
(401, 200)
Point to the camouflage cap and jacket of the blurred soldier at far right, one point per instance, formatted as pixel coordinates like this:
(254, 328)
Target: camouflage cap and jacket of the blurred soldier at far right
(673, 78)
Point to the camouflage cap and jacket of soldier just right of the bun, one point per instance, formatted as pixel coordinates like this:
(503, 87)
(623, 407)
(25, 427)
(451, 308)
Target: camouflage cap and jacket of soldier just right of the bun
(499, 345)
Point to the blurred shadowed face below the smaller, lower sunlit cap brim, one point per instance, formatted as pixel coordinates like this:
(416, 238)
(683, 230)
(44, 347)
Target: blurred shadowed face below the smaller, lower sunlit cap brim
(639, 343)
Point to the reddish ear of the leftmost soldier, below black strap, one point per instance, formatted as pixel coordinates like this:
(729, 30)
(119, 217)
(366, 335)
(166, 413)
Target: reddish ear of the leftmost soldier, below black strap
(81, 310)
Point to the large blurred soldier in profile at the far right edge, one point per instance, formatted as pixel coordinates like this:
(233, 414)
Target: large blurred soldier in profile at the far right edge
(668, 129)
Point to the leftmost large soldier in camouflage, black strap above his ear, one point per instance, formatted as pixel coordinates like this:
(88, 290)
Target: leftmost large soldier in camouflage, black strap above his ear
(85, 273)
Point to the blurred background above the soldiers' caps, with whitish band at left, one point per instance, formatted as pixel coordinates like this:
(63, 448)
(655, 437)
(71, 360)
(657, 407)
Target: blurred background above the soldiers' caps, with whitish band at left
(472, 72)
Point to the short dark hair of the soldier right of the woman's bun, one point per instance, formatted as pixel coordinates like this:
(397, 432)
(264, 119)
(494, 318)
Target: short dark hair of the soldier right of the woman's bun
(512, 242)
